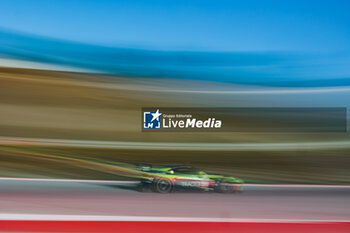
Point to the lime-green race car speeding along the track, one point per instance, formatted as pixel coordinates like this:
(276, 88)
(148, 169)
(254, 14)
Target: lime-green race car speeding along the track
(166, 179)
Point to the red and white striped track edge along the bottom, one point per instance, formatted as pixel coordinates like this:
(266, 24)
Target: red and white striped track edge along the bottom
(128, 224)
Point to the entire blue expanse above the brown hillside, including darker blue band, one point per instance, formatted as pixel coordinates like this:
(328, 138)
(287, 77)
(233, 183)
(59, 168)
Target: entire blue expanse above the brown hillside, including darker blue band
(254, 42)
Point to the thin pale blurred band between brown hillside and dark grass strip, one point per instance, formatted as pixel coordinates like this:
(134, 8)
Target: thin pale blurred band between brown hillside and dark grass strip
(13, 141)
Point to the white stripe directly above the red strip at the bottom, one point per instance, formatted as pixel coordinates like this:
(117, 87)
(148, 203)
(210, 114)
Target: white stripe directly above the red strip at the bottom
(55, 217)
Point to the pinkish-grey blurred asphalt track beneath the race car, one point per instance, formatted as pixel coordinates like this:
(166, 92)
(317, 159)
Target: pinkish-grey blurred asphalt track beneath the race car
(121, 199)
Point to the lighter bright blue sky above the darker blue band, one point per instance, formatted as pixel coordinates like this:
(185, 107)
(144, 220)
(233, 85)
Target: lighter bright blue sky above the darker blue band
(221, 25)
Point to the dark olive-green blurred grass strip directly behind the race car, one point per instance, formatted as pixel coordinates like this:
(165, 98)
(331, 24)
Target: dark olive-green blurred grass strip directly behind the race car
(308, 167)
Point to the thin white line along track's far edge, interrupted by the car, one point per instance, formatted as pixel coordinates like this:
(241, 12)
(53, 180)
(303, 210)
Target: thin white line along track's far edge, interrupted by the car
(135, 182)
